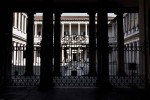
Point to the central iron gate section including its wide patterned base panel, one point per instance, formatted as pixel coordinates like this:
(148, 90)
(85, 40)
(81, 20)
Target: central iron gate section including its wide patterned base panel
(75, 62)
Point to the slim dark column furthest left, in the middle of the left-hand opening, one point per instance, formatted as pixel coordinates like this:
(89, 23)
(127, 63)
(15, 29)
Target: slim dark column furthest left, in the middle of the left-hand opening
(29, 47)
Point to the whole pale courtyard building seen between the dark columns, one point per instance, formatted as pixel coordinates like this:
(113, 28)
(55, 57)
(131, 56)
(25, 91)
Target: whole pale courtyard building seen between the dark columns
(75, 42)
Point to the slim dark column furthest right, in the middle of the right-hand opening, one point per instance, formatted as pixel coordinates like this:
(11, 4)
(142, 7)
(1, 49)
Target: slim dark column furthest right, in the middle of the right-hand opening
(120, 40)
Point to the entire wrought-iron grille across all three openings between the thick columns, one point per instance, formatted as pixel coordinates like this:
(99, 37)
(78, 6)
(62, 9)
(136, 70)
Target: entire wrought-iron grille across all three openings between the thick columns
(75, 70)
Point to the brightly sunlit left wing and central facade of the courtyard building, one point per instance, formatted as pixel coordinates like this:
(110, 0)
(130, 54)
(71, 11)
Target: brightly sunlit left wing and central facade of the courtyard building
(74, 43)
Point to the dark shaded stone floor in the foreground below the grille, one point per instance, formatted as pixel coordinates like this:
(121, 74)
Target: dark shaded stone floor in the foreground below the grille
(32, 93)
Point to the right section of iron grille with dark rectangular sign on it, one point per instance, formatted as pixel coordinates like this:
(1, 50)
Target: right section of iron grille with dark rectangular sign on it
(135, 76)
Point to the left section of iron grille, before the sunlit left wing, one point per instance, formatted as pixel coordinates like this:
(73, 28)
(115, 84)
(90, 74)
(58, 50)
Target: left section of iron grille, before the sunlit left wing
(18, 68)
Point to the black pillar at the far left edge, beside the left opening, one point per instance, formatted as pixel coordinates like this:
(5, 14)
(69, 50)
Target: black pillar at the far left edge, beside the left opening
(6, 46)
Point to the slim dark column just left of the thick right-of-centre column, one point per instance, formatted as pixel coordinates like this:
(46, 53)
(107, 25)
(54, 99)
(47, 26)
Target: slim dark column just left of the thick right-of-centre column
(92, 45)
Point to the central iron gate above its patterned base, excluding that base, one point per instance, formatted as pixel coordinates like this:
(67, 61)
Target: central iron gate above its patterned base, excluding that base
(75, 60)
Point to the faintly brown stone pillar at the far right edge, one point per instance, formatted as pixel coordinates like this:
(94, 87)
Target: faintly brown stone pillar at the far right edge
(144, 40)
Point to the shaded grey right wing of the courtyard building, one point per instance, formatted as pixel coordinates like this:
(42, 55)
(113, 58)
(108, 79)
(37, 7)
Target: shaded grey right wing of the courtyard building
(131, 44)
